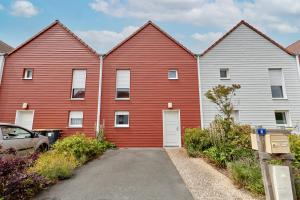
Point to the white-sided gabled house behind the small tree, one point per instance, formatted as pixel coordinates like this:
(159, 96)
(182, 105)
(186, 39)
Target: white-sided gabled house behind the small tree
(256, 62)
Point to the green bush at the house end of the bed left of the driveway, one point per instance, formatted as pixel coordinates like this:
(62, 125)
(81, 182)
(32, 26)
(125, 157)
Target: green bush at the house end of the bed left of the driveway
(82, 147)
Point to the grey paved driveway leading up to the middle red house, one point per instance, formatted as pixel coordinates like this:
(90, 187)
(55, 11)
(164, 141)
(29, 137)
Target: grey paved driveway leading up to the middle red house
(125, 174)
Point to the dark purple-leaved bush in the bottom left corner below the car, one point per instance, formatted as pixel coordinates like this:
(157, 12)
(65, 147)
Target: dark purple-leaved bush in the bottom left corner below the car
(15, 181)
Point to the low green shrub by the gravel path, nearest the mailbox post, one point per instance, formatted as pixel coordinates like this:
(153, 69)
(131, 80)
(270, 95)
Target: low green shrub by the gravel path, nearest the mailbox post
(246, 173)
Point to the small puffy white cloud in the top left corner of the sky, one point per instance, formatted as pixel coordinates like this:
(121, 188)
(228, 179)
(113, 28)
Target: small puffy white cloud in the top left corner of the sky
(23, 8)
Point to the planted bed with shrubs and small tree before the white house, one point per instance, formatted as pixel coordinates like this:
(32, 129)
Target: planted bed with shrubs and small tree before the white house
(227, 145)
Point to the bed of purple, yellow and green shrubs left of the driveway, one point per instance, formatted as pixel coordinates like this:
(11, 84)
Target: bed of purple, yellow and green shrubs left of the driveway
(23, 177)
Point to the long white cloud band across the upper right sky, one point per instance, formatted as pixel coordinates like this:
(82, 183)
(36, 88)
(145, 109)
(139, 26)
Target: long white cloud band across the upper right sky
(276, 15)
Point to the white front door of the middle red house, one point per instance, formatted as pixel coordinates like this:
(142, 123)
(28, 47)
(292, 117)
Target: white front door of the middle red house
(172, 130)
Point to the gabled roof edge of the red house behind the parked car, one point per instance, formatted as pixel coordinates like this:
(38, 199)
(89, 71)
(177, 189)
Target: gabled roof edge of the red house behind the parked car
(56, 22)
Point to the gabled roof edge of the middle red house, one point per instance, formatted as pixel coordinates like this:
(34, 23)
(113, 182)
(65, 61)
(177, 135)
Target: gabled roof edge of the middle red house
(142, 28)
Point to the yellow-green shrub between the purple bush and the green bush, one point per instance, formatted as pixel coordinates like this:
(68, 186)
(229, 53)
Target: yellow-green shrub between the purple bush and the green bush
(55, 165)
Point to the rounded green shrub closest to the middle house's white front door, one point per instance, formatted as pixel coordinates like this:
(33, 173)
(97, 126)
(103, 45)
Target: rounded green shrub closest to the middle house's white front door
(196, 140)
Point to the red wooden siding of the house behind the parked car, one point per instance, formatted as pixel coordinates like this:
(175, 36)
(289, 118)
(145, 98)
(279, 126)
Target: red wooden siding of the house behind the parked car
(52, 55)
